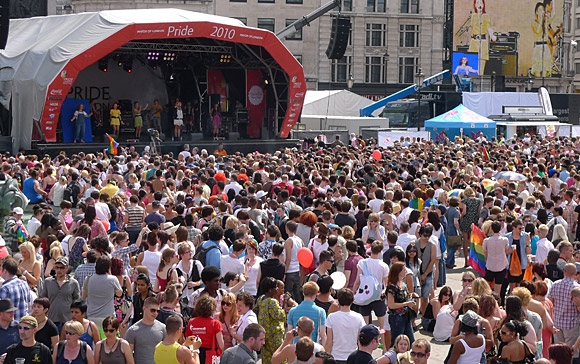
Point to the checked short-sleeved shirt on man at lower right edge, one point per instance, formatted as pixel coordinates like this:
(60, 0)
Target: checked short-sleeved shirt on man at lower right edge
(565, 312)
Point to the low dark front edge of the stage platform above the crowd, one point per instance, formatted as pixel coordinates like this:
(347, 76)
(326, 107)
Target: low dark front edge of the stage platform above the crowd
(231, 146)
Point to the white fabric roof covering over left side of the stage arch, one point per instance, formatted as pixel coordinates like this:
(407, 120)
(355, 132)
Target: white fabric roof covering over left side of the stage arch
(39, 48)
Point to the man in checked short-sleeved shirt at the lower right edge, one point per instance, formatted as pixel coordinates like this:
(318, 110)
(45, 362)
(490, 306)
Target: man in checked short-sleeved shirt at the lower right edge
(566, 315)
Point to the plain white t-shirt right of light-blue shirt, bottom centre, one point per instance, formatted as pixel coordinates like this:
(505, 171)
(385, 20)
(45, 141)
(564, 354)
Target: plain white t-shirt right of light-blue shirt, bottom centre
(345, 327)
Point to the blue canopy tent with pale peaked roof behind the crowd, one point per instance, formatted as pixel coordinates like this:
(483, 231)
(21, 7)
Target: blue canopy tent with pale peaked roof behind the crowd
(457, 121)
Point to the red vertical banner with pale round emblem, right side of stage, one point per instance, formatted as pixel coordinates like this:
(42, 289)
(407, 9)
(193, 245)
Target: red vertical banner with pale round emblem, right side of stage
(255, 101)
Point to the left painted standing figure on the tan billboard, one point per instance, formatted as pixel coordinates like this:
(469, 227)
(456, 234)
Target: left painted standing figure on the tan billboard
(481, 32)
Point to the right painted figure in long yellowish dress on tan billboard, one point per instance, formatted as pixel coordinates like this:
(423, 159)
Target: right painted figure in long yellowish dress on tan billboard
(541, 57)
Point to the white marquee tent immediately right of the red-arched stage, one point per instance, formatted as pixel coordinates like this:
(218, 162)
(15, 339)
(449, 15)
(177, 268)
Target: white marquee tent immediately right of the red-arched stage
(335, 103)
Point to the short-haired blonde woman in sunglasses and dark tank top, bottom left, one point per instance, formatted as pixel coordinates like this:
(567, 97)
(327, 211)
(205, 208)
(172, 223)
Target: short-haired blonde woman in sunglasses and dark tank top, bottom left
(72, 350)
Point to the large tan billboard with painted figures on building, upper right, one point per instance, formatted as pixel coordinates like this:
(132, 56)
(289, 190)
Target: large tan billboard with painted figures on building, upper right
(511, 38)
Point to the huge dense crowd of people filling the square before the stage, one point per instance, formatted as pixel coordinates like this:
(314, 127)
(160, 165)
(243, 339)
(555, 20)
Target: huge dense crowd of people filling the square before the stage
(292, 256)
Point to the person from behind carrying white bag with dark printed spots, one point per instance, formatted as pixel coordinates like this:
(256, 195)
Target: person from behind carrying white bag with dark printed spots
(373, 270)
